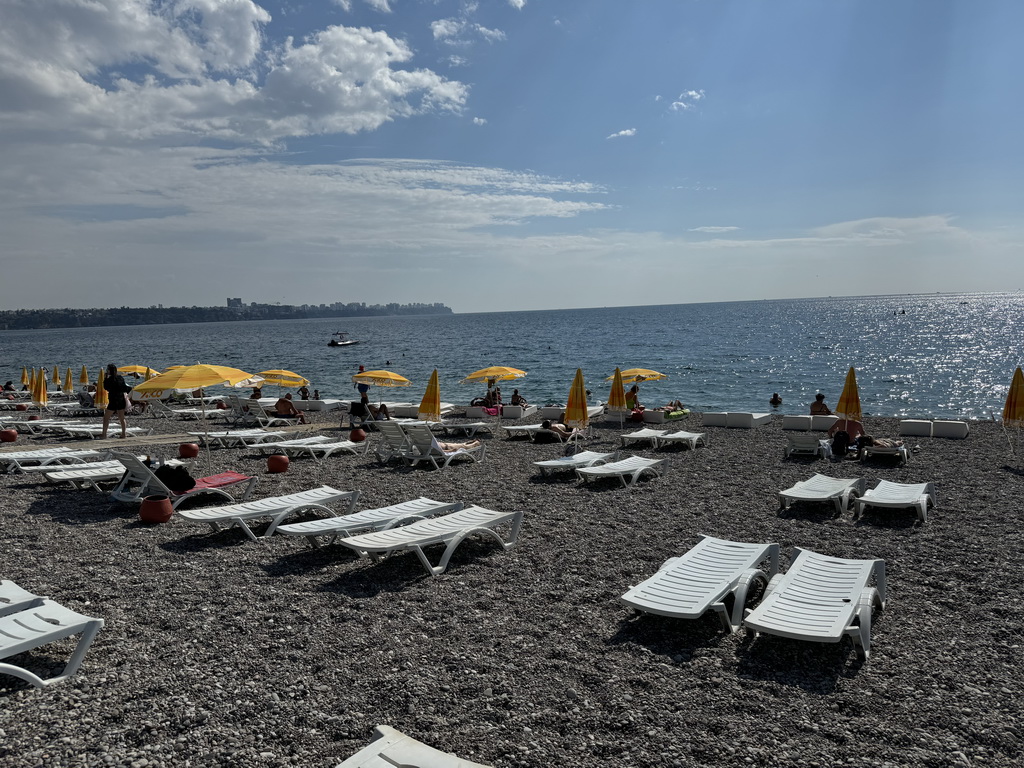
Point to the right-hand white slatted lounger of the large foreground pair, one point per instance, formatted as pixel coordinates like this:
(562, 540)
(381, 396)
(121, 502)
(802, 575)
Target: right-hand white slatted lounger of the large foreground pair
(822, 600)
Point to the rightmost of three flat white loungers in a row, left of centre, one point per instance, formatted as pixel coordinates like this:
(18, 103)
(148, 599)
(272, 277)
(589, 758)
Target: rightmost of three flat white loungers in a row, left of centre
(448, 530)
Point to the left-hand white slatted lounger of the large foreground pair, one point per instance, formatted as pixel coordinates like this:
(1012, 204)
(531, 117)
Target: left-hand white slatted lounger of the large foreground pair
(689, 586)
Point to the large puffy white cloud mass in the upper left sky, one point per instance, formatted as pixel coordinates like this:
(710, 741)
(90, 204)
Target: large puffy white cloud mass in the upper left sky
(200, 69)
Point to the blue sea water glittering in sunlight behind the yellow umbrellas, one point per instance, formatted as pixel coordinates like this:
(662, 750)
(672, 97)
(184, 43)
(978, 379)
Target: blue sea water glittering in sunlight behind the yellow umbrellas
(949, 356)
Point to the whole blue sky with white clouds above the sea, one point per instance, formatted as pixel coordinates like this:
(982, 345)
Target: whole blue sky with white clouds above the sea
(507, 155)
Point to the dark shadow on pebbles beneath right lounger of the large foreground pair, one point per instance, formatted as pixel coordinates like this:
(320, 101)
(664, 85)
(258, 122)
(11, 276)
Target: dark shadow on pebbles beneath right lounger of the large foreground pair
(816, 668)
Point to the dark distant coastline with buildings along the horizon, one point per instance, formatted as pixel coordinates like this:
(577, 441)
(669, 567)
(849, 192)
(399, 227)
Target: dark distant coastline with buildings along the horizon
(27, 320)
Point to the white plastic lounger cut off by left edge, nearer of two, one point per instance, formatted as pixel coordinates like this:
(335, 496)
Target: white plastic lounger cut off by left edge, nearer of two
(41, 623)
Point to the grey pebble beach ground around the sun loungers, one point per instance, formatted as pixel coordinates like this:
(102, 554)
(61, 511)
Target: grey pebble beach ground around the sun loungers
(219, 651)
